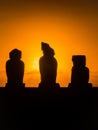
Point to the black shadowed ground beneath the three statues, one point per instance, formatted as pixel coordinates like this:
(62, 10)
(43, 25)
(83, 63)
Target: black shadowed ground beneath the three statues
(61, 108)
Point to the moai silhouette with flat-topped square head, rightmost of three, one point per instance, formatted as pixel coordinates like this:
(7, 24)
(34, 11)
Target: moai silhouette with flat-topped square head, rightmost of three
(80, 73)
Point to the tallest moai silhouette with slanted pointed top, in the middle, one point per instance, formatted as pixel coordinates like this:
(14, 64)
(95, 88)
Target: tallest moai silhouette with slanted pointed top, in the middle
(48, 67)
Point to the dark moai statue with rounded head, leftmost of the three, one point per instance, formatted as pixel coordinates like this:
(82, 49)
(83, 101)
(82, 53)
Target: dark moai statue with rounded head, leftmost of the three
(15, 69)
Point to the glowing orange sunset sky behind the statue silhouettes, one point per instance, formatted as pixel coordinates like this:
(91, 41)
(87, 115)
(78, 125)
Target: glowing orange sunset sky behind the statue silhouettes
(69, 27)
